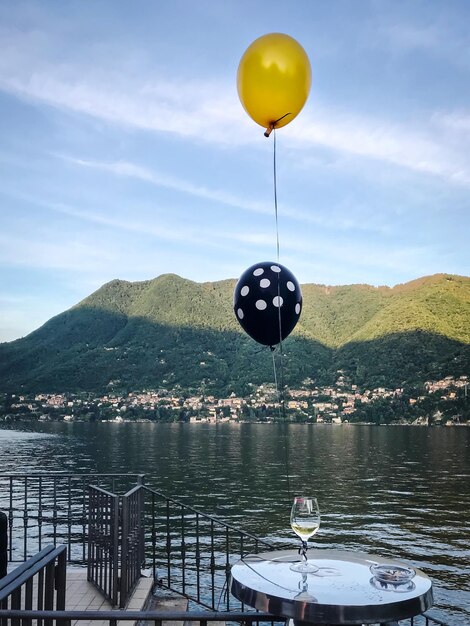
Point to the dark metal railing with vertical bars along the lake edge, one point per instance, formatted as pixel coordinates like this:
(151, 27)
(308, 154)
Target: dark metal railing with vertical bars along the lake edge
(187, 551)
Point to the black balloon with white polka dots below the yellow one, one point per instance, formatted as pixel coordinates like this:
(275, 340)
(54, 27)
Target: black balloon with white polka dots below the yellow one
(267, 302)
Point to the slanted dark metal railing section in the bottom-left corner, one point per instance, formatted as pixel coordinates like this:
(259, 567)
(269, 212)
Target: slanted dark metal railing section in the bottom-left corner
(38, 583)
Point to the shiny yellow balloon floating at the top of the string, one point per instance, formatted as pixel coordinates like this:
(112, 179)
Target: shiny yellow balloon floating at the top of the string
(273, 80)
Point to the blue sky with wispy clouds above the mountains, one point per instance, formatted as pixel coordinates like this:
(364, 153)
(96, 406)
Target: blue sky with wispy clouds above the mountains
(125, 151)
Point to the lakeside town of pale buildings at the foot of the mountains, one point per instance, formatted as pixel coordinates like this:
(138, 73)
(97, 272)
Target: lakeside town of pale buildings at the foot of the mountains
(442, 402)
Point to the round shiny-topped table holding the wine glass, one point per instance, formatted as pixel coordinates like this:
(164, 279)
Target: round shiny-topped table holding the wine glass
(342, 591)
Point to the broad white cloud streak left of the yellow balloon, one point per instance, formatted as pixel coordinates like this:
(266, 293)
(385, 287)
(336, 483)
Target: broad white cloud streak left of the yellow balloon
(197, 109)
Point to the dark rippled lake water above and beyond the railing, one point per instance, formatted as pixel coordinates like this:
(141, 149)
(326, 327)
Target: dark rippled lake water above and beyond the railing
(392, 491)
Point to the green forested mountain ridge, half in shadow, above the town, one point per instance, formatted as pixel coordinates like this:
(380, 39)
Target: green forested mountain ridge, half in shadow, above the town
(170, 331)
